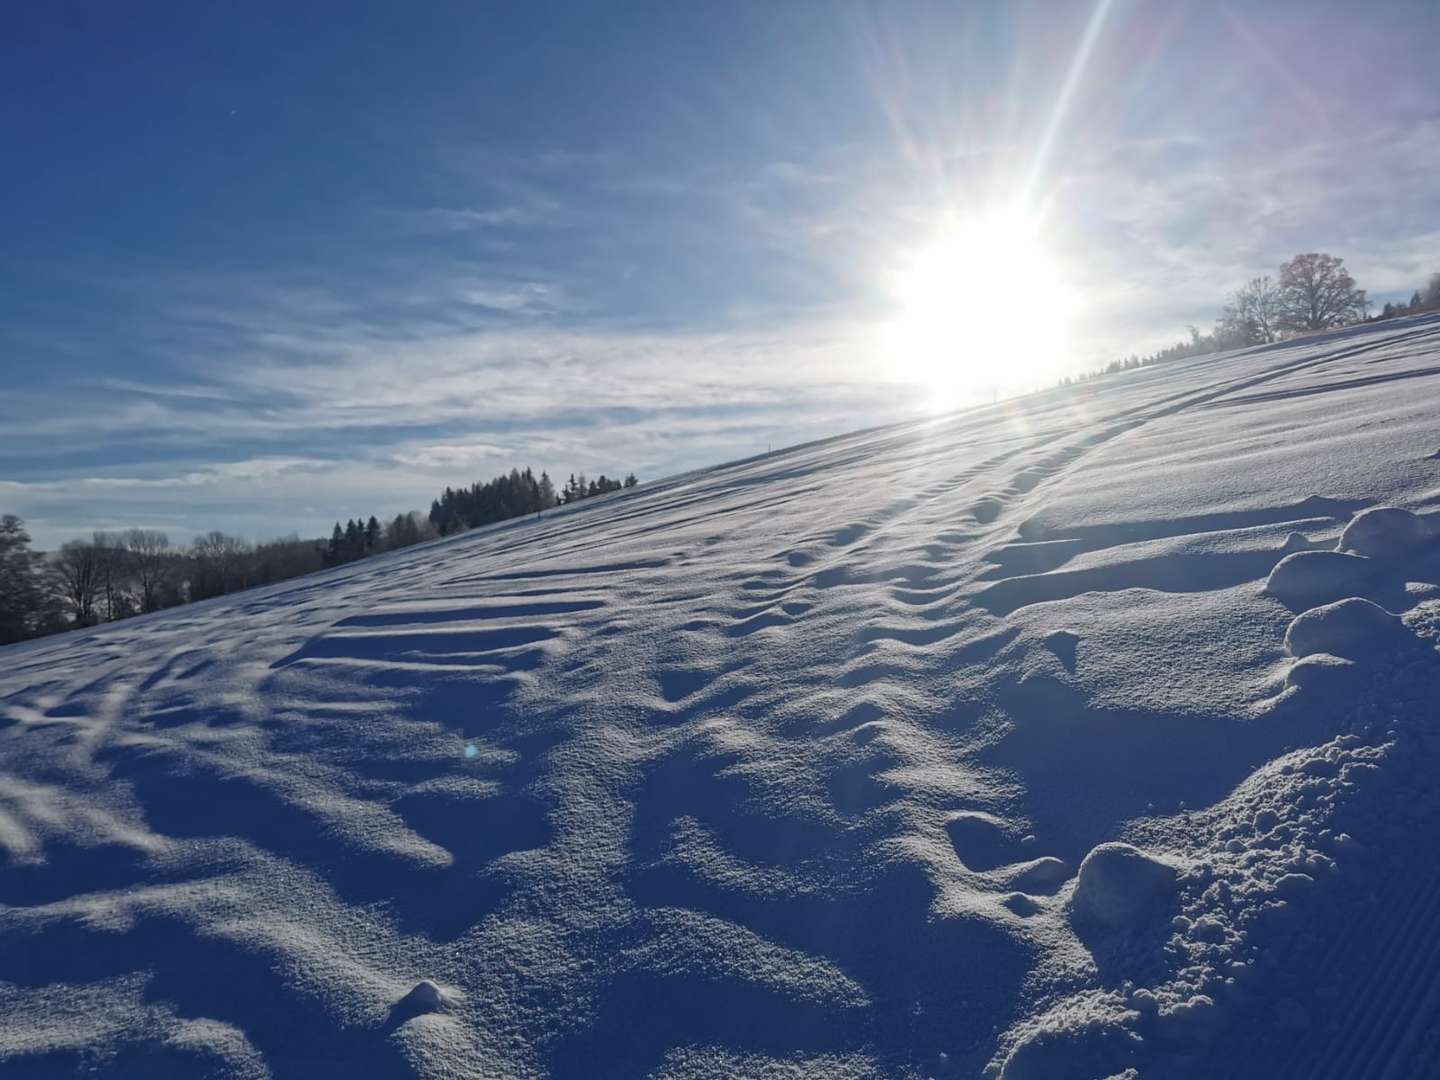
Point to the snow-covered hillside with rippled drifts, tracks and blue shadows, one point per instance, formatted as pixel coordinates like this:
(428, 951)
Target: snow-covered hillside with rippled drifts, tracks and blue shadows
(1085, 737)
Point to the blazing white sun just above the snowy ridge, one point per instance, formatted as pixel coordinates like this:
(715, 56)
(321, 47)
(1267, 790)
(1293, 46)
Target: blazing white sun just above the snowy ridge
(980, 310)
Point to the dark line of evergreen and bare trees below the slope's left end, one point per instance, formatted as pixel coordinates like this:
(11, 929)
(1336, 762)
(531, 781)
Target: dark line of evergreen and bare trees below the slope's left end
(116, 575)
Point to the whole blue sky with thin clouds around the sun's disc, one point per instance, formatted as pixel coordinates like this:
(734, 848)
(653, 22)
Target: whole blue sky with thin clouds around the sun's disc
(267, 266)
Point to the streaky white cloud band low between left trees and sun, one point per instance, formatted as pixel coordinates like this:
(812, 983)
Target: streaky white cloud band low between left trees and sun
(289, 411)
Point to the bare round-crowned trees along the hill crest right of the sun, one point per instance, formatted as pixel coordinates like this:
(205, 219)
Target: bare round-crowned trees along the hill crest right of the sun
(1311, 293)
